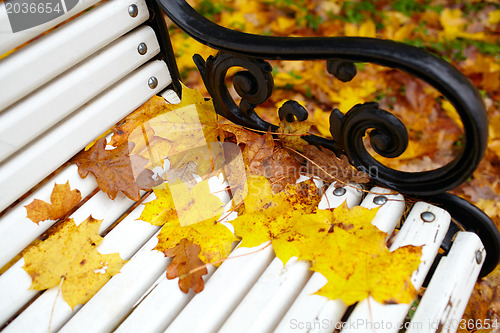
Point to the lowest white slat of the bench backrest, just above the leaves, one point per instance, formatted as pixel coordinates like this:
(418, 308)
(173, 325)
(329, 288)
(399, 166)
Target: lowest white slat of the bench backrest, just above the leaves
(31, 165)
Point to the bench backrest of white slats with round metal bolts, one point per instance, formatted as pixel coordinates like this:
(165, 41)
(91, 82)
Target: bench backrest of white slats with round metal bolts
(81, 77)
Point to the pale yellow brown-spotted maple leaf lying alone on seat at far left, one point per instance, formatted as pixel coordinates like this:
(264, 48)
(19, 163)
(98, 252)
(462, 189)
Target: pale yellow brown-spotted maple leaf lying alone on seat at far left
(69, 258)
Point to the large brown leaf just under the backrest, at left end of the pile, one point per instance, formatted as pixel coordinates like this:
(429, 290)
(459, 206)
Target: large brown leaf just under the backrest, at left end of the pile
(113, 169)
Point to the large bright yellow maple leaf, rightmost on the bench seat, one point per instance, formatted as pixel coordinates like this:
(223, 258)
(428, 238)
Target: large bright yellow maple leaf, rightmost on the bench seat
(353, 255)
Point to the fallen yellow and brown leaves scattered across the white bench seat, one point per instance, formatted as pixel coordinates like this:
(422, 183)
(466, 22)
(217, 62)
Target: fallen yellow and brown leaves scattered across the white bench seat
(183, 151)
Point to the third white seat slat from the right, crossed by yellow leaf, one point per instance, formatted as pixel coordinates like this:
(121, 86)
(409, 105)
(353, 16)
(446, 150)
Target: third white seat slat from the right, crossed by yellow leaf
(308, 308)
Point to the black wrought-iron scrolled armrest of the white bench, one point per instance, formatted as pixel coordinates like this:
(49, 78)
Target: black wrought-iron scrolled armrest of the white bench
(388, 136)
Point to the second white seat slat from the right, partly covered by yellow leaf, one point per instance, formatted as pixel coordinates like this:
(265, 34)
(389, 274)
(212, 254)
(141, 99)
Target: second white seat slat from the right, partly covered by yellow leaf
(370, 314)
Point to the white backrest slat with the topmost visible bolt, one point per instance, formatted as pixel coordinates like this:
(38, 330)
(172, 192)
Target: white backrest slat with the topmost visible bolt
(45, 58)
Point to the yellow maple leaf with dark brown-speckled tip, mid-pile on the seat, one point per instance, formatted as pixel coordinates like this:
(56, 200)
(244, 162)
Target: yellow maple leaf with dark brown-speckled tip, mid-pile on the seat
(267, 215)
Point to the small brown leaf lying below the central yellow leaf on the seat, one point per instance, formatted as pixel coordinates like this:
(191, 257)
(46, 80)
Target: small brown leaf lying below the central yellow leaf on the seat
(186, 266)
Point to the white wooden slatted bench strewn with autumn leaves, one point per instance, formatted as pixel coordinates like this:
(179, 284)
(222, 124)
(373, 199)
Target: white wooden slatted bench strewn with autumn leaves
(62, 91)
